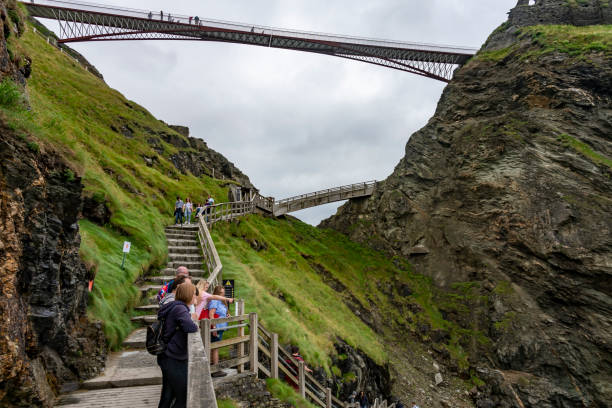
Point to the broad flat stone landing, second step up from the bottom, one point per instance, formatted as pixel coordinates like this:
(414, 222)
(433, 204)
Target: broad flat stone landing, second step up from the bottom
(131, 368)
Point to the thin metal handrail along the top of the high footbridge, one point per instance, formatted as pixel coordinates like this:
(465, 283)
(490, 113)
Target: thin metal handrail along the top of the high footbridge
(261, 29)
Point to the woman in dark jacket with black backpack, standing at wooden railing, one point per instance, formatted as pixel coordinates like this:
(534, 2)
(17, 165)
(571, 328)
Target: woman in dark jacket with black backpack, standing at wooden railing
(173, 361)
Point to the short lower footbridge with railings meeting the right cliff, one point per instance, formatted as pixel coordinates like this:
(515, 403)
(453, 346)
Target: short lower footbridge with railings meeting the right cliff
(321, 197)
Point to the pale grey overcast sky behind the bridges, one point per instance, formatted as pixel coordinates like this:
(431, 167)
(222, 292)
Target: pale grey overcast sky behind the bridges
(295, 122)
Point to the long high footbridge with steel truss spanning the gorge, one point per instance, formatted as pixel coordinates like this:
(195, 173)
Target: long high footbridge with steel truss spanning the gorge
(81, 21)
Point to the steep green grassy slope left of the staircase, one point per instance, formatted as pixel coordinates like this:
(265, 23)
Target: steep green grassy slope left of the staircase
(72, 112)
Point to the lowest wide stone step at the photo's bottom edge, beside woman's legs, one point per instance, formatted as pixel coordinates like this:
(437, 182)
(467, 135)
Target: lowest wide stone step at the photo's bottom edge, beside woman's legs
(127, 397)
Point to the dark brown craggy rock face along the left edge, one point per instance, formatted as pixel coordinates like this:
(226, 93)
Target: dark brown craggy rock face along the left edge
(46, 341)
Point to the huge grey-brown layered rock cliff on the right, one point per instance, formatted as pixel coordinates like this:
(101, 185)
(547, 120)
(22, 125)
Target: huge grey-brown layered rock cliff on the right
(509, 186)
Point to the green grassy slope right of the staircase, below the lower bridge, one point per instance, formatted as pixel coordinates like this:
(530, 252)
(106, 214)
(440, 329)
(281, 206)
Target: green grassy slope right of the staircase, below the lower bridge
(277, 266)
